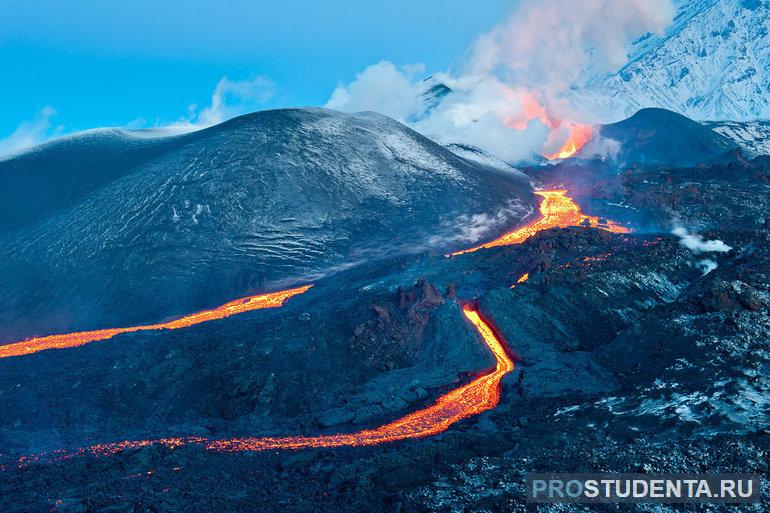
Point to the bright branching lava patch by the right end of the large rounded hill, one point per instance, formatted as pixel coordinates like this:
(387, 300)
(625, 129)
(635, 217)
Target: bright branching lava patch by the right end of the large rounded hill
(557, 210)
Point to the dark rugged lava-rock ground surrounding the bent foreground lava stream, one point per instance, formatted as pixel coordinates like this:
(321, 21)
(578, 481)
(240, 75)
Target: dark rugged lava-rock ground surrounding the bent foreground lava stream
(646, 351)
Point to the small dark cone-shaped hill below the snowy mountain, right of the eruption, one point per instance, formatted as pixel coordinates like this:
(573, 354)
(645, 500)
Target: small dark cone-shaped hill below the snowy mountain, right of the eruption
(660, 136)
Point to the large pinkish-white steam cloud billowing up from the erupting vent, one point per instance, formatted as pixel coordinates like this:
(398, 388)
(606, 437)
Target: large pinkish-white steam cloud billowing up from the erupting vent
(506, 95)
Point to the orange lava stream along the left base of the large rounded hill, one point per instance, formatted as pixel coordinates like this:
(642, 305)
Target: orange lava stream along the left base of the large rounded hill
(67, 340)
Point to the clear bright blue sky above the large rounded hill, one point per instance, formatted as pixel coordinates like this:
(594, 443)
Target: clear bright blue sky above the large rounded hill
(143, 62)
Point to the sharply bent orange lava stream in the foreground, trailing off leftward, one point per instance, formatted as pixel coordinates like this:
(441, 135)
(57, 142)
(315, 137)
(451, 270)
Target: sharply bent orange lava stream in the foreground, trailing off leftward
(477, 396)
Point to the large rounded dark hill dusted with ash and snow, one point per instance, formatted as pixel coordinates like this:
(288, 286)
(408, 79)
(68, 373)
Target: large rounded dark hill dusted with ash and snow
(110, 227)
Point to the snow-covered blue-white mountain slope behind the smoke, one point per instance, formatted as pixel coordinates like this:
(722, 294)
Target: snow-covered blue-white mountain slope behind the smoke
(713, 63)
